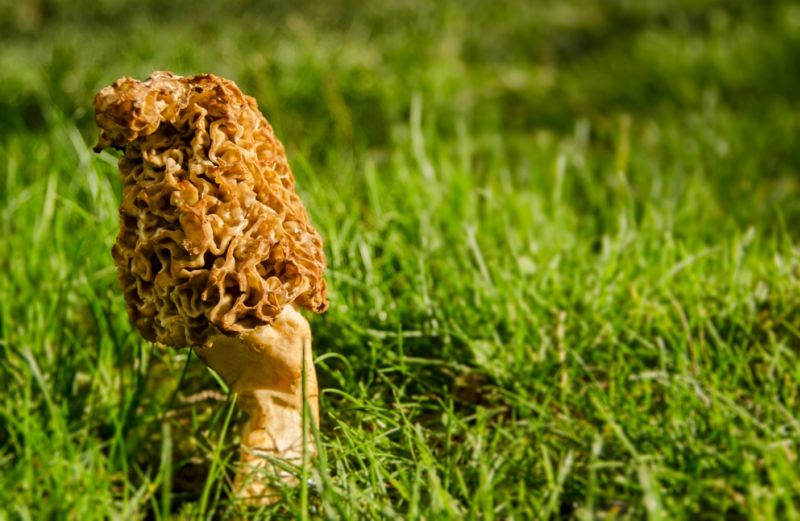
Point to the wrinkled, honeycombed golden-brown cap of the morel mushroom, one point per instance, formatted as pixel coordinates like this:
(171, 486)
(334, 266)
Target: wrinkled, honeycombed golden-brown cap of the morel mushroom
(213, 237)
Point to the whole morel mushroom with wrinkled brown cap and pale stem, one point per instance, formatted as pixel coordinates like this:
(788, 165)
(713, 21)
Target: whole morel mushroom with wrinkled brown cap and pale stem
(215, 250)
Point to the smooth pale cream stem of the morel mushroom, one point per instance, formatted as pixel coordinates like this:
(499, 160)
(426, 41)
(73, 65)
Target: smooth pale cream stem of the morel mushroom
(265, 367)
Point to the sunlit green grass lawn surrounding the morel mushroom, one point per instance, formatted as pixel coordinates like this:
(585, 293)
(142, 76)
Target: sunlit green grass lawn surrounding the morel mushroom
(563, 257)
